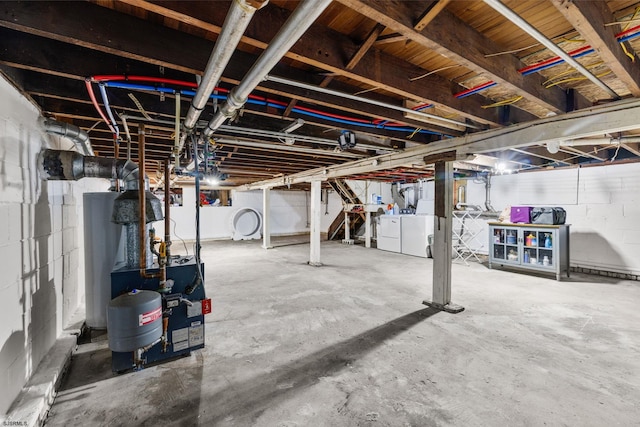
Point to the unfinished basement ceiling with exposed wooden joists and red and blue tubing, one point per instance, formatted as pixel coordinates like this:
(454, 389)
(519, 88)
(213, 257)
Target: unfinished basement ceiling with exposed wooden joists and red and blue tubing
(462, 66)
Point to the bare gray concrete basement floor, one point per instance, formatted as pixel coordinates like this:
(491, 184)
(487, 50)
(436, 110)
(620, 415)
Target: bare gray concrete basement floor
(350, 344)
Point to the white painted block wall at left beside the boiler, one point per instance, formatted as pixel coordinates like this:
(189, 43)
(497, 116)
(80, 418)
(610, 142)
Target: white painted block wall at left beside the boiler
(41, 237)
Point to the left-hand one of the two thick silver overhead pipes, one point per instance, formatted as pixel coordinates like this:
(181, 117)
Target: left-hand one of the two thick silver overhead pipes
(234, 26)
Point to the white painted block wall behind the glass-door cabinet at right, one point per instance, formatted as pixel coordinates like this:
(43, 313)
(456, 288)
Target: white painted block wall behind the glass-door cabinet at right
(602, 205)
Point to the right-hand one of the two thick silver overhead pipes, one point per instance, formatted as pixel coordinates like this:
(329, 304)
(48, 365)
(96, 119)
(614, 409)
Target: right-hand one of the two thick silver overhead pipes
(299, 21)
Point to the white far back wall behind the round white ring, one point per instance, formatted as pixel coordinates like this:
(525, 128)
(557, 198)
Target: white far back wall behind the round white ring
(289, 214)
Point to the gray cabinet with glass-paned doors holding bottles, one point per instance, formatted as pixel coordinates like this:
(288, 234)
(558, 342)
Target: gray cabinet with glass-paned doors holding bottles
(543, 248)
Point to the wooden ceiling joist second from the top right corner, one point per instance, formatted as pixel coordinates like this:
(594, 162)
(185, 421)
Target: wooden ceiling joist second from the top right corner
(452, 38)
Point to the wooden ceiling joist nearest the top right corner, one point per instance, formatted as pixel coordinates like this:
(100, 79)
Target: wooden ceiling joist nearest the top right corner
(589, 19)
